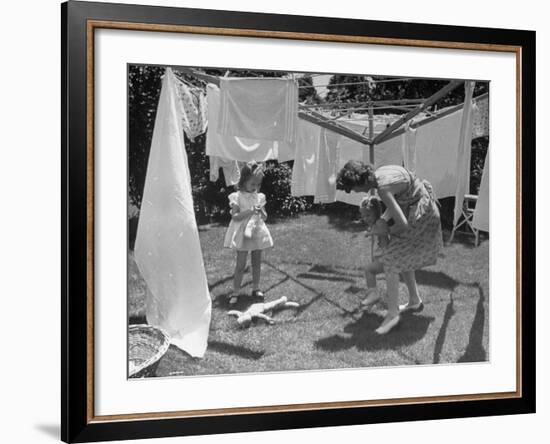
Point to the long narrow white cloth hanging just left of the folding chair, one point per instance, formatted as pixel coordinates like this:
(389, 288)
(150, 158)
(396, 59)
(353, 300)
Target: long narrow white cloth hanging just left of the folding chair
(464, 152)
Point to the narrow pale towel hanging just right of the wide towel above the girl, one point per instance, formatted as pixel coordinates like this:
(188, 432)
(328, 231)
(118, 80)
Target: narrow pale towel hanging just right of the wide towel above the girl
(304, 171)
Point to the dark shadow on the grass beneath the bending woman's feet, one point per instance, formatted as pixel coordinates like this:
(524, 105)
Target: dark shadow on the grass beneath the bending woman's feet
(363, 336)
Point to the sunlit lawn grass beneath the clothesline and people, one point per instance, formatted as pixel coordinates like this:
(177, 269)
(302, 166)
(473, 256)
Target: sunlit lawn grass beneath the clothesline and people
(318, 262)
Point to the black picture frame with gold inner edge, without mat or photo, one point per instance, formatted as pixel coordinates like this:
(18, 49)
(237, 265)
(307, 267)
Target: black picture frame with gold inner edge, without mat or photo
(79, 22)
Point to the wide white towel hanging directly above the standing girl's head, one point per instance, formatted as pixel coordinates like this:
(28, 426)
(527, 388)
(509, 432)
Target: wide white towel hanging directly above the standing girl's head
(256, 108)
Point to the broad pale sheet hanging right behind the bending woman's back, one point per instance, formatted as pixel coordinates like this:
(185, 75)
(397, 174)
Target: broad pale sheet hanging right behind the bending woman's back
(436, 150)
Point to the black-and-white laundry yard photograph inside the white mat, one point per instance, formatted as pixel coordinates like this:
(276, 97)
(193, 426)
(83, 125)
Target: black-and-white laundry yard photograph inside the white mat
(290, 221)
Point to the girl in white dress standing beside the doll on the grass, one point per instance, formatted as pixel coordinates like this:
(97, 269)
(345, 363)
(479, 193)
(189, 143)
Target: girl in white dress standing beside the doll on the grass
(247, 231)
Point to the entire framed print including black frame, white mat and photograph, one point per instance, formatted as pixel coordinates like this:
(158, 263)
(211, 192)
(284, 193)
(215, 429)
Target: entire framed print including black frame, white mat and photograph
(275, 221)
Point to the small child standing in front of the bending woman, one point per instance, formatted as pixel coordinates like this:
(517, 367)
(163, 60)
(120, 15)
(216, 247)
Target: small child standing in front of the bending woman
(377, 227)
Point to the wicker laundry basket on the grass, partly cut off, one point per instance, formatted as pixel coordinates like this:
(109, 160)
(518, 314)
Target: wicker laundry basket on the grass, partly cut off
(146, 346)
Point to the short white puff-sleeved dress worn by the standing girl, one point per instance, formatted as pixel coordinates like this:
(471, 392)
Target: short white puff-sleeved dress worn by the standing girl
(234, 237)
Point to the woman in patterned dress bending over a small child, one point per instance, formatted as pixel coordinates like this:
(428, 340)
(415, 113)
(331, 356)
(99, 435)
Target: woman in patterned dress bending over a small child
(415, 237)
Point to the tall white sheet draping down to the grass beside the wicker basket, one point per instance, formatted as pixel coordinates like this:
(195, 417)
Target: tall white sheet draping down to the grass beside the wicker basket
(167, 249)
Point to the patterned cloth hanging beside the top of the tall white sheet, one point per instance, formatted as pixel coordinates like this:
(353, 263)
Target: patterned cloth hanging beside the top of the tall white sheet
(193, 109)
